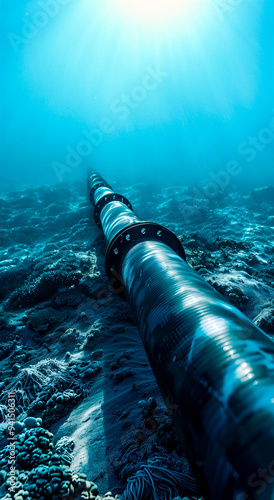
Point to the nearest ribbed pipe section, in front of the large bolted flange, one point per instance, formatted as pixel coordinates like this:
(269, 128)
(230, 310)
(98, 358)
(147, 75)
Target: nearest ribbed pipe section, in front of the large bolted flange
(214, 367)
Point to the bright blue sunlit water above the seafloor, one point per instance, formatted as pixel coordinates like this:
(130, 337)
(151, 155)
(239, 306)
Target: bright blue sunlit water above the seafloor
(185, 98)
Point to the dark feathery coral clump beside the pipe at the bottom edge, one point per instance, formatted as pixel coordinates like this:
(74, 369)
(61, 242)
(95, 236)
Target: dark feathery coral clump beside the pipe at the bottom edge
(151, 452)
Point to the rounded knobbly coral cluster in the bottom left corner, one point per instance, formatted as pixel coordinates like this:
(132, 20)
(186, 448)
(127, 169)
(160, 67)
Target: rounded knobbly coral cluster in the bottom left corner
(42, 471)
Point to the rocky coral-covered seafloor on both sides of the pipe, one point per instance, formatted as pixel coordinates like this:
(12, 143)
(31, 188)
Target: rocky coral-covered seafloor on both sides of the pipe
(90, 420)
